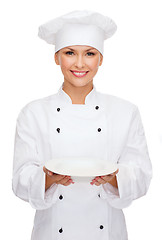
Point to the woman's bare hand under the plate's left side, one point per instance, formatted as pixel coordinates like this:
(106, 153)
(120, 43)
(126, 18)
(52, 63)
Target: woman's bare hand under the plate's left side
(56, 178)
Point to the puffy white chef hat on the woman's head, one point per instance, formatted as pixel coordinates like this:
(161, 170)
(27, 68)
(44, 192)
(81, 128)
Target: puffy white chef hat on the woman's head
(78, 28)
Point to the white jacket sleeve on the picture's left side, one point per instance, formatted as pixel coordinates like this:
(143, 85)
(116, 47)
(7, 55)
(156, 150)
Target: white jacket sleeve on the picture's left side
(28, 182)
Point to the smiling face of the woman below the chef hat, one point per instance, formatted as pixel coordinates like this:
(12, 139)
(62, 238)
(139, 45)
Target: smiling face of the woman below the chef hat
(79, 64)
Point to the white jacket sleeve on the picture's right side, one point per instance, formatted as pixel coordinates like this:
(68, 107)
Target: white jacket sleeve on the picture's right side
(135, 169)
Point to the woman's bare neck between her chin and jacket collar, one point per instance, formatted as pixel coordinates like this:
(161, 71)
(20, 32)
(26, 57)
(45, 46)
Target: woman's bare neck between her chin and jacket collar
(77, 94)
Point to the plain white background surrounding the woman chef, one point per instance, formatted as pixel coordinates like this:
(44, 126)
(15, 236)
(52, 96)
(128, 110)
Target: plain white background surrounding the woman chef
(131, 70)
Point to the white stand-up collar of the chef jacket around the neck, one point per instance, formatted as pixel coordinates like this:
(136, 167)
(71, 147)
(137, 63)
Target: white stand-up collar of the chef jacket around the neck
(65, 98)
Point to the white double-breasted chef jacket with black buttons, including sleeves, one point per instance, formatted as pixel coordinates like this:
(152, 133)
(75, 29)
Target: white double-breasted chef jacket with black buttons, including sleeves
(106, 128)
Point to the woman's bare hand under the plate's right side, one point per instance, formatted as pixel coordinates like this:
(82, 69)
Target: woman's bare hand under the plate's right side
(111, 178)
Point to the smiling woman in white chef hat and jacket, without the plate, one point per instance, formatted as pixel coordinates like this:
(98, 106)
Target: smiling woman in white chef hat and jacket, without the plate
(79, 121)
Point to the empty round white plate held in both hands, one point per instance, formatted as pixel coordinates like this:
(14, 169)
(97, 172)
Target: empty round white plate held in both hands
(81, 167)
